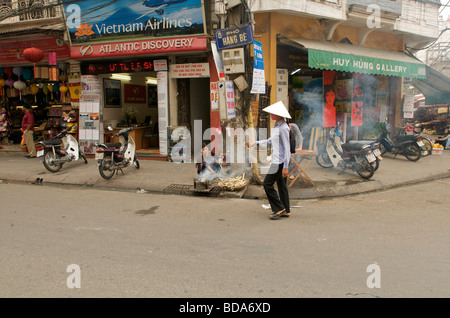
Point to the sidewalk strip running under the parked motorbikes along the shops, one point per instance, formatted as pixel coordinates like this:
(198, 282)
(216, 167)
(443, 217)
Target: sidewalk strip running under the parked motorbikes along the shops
(172, 178)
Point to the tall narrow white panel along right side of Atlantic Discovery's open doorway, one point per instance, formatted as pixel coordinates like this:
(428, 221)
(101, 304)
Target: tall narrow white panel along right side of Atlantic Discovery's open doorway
(163, 110)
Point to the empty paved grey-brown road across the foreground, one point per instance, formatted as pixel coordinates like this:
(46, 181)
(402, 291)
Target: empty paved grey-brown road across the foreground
(147, 245)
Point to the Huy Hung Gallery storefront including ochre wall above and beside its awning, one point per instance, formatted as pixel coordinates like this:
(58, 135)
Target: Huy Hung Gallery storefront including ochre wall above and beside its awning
(326, 77)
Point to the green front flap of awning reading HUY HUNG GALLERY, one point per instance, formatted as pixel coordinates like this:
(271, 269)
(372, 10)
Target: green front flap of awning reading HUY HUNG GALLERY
(362, 64)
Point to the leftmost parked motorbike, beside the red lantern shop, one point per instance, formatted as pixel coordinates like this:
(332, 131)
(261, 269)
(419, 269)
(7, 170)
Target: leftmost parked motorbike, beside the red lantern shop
(59, 150)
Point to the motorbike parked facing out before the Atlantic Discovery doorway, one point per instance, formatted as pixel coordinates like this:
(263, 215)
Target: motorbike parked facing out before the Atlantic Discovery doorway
(112, 157)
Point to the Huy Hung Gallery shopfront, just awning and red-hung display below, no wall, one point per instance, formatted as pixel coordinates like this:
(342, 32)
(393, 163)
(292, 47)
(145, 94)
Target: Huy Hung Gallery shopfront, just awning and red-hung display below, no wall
(337, 83)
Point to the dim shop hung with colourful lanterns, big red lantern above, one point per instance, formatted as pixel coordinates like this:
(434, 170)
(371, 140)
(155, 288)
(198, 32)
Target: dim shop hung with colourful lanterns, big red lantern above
(33, 71)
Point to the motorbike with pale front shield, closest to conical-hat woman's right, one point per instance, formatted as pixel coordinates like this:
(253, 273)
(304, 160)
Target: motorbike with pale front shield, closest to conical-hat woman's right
(357, 156)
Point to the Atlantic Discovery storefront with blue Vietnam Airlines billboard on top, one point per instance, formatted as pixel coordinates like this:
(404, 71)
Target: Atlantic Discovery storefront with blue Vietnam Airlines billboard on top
(139, 65)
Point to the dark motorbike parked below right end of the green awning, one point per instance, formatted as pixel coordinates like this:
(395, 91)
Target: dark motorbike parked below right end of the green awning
(410, 146)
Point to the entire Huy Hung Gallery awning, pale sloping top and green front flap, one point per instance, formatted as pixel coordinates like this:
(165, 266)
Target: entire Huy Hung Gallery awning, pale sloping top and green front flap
(357, 59)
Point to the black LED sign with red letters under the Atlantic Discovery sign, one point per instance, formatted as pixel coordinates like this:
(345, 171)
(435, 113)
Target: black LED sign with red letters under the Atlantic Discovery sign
(118, 67)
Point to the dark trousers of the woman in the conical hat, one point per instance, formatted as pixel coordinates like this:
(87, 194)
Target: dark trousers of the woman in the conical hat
(281, 202)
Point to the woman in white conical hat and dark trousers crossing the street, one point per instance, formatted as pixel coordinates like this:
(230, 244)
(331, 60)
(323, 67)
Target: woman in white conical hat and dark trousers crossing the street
(281, 154)
